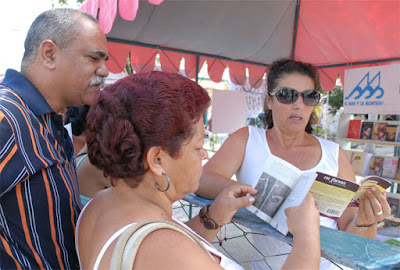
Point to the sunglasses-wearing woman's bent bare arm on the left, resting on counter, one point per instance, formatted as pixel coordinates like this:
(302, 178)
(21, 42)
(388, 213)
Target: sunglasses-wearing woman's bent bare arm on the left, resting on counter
(217, 172)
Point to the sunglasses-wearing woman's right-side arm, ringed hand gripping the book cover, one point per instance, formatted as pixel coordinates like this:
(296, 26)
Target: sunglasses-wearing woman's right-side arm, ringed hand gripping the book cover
(364, 215)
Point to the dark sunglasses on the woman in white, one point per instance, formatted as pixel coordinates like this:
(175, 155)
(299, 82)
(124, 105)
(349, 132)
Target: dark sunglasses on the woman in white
(288, 95)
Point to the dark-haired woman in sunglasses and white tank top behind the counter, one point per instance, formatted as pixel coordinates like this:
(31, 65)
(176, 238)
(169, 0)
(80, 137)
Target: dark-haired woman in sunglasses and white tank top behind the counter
(290, 102)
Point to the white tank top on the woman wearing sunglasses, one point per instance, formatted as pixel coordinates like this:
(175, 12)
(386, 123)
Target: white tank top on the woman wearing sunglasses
(257, 152)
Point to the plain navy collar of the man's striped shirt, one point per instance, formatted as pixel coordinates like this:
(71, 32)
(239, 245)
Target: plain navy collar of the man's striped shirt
(27, 91)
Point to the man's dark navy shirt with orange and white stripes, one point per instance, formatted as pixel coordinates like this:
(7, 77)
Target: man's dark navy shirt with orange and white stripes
(39, 196)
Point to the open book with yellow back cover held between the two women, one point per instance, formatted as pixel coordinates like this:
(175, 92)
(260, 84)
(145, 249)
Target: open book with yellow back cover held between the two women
(282, 185)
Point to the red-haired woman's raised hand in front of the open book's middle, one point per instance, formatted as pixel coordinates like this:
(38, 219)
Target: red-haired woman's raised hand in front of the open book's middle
(303, 219)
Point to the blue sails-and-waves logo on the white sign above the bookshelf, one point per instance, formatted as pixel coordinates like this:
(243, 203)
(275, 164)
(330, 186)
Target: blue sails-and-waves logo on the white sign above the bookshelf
(368, 91)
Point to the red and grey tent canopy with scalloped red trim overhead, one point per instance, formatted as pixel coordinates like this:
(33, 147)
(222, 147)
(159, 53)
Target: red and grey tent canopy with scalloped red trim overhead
(329, 34)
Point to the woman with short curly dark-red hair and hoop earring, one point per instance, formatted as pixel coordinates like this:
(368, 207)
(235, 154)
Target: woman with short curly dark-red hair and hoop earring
(146, 133)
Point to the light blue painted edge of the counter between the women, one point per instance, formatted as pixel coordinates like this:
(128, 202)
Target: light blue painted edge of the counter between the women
(340, 247)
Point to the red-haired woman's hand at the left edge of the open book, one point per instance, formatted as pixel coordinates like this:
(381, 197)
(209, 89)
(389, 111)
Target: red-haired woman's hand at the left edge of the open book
(229, 201)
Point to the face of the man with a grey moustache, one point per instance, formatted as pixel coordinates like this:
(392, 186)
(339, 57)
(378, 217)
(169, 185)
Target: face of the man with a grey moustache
(82, 66)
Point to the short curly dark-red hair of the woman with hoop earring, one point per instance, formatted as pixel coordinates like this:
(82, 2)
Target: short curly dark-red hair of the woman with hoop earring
(138, 112)
